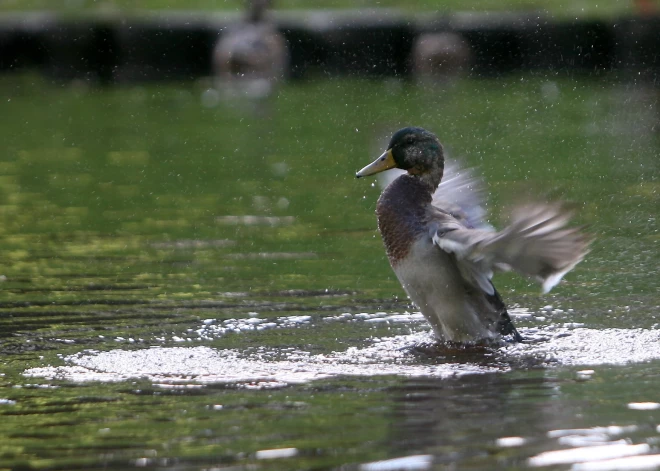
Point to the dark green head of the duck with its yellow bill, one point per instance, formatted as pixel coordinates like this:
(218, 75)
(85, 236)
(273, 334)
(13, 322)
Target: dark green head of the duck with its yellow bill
(413, 149)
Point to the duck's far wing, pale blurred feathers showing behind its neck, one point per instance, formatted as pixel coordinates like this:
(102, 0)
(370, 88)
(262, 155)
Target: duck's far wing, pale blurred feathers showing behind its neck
(460, 193)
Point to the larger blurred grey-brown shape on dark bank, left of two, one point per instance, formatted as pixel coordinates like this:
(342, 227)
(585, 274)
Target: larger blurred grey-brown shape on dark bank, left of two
(251, 56)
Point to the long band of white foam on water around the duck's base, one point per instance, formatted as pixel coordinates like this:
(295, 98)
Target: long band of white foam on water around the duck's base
(384, 356)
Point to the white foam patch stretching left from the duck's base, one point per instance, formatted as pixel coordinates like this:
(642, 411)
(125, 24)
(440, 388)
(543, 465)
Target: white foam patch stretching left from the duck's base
(274, 368)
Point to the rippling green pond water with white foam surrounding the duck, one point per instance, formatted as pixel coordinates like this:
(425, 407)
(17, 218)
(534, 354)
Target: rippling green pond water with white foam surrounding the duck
(187, 286)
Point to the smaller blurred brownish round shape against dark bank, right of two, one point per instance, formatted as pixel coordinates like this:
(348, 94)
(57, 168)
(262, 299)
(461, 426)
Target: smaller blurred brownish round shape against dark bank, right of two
(440, 56)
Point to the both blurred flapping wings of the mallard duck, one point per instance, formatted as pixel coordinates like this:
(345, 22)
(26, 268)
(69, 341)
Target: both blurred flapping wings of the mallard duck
(537, 242)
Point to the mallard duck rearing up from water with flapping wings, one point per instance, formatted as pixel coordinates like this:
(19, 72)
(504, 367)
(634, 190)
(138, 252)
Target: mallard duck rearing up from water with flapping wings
(444, 255)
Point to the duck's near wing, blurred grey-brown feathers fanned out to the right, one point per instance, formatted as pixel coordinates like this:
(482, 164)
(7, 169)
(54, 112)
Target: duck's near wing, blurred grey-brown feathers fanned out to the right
(536, 243)
